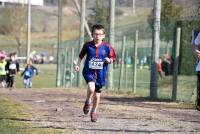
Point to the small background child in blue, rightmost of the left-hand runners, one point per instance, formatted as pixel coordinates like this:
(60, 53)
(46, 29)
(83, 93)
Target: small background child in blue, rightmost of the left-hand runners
(28, 74)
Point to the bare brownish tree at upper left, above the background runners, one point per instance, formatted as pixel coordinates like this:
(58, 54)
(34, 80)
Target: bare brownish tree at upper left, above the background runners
(13, 24)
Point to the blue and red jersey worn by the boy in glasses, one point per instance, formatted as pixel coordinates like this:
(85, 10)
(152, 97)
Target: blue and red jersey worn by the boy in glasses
(95, 67)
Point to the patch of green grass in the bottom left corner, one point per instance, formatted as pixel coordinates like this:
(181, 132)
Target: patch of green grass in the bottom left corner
(15, 119)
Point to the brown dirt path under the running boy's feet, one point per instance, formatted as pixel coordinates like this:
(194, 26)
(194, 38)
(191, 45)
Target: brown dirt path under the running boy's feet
(62, 109)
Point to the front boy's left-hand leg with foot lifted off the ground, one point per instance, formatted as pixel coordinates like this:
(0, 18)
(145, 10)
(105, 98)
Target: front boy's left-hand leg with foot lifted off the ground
(90, 92)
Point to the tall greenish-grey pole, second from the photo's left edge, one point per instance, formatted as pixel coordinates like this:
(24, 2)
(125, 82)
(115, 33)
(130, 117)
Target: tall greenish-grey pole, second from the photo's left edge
(58, 80)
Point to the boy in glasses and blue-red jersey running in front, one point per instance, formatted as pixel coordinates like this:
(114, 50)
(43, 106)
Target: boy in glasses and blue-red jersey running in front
(98, 55)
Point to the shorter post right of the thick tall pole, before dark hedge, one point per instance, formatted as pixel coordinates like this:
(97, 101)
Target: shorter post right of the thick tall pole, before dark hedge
(176, 63)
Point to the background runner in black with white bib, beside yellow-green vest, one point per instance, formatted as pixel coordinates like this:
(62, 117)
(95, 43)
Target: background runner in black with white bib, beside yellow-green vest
(12, 68)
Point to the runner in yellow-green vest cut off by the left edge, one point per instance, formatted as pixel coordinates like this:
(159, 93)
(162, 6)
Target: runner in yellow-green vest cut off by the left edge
(2, 69)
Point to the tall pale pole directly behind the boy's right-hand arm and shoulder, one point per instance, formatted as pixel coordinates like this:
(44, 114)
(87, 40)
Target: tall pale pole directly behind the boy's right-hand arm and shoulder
(111, 41)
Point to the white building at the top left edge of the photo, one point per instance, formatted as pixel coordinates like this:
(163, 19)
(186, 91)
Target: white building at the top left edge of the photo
(33, 2)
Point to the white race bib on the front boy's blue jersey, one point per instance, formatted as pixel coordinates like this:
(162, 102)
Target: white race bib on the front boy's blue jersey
(96, 63)
